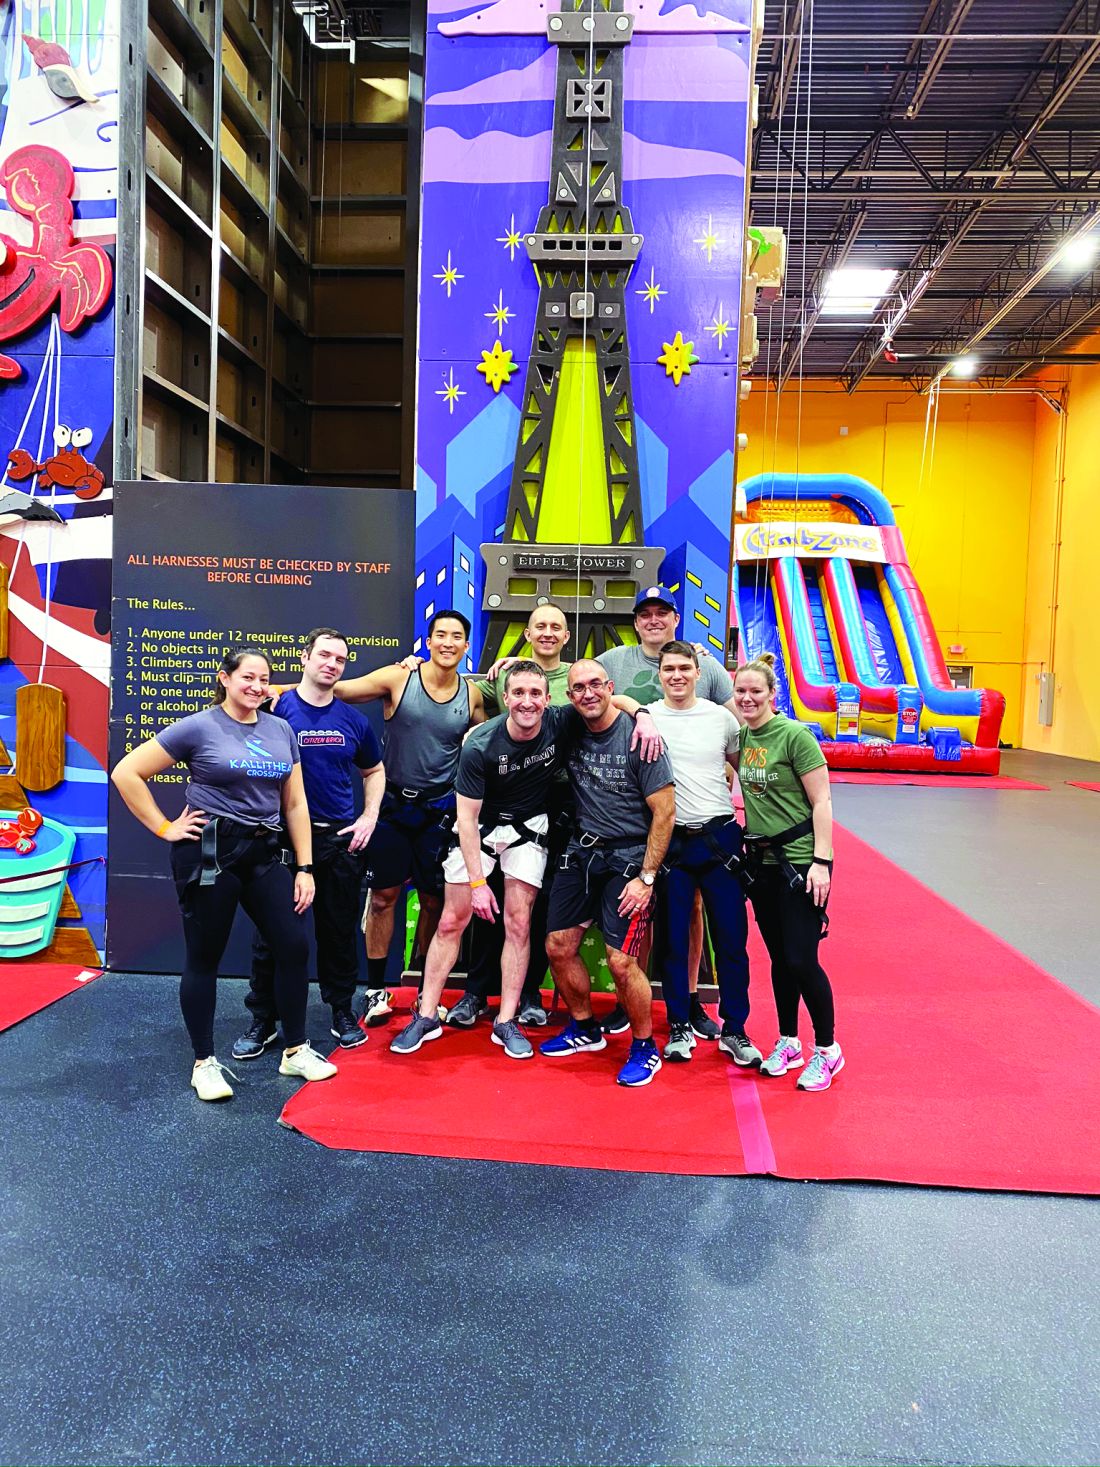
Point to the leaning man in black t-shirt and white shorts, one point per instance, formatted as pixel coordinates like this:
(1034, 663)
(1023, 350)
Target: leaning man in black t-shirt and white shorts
(502, 794)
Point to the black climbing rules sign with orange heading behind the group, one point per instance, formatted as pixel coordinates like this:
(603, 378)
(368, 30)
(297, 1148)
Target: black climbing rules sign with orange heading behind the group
(202, 568)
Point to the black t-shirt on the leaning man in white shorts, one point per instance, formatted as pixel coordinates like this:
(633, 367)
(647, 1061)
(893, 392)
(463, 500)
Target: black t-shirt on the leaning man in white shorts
(514, 777)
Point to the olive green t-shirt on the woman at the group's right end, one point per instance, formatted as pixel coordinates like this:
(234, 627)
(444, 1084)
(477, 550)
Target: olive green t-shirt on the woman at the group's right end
(772, 762)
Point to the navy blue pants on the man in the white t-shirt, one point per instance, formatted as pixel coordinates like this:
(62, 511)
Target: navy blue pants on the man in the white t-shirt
(694, 865)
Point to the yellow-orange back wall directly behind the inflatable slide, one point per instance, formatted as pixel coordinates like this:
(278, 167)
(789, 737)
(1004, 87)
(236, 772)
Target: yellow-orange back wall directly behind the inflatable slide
(964, 514)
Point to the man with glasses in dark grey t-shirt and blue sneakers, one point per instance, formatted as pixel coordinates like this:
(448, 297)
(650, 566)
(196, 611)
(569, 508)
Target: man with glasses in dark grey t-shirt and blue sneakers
(626, 811)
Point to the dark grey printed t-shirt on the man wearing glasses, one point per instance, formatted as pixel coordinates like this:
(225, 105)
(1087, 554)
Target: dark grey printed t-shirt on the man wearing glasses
(612, 783)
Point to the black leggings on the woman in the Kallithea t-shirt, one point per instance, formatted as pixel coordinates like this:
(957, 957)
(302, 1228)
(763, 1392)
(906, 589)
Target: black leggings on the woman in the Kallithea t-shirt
(257, 881)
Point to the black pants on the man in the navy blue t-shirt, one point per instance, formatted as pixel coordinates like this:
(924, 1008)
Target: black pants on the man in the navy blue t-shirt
(338, 906)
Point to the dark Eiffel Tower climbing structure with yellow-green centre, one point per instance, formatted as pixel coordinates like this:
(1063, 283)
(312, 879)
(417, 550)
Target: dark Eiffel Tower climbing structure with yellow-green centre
(583, 250)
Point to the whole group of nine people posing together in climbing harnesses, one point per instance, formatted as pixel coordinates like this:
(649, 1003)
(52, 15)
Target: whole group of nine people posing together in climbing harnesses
(538, 802)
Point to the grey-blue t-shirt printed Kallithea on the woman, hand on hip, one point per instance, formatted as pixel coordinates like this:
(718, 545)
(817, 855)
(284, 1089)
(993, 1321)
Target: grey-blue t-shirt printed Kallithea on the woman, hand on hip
(237, 769)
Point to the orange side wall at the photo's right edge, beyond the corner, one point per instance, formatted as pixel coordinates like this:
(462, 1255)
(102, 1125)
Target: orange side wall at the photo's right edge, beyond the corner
(1063, 571)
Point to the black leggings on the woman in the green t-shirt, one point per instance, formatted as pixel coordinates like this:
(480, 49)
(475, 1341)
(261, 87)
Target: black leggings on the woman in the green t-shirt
(791, 928)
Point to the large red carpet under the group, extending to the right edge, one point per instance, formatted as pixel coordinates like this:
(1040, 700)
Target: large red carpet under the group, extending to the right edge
(931, 1011)
